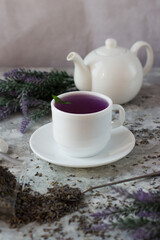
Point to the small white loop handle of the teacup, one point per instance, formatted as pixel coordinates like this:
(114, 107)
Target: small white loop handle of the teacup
(121, 118)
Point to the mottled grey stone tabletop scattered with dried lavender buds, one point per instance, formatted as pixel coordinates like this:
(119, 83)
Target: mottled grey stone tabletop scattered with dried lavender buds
(142, 118)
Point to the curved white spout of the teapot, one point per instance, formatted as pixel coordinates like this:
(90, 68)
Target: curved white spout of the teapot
(82, 75)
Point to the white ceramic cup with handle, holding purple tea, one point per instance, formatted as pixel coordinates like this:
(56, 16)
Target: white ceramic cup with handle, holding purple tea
(84, 135)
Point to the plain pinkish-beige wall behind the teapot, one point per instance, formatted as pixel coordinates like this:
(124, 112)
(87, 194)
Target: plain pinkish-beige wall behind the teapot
(43, 32)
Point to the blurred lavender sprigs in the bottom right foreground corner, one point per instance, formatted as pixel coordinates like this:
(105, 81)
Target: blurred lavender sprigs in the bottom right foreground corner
(140, 217)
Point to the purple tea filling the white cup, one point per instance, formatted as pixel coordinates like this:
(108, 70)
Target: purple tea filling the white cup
(82, 103)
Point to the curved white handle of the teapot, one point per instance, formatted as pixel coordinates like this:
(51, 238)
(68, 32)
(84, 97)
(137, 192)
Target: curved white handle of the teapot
(149, 61)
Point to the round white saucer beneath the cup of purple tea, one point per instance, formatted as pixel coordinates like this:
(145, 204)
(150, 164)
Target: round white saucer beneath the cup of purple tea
(43, 145)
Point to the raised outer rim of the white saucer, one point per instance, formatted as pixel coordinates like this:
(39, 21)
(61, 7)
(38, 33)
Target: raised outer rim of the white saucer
(98, 164)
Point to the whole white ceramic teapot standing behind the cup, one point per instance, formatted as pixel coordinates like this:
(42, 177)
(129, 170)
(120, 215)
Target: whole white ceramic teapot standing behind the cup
(112, 70)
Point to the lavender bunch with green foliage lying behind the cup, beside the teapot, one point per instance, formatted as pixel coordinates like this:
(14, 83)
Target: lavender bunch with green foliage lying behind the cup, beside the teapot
(30, 92)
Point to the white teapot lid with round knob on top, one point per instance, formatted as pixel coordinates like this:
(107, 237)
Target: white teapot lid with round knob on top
(110, 48)
